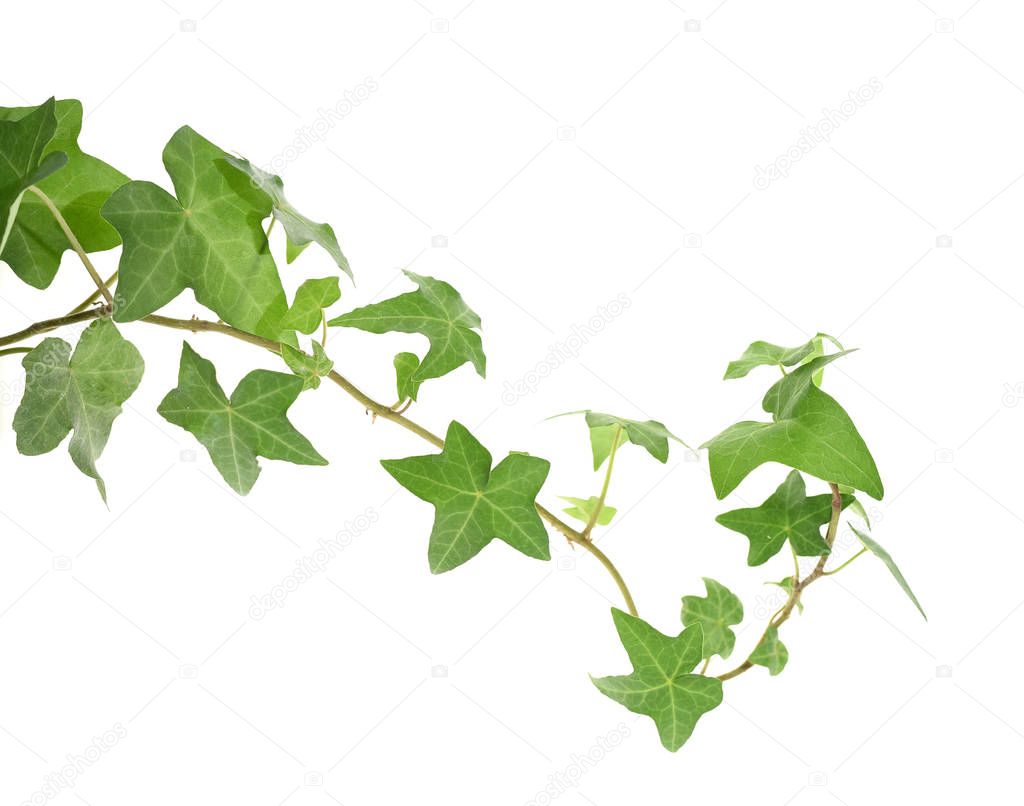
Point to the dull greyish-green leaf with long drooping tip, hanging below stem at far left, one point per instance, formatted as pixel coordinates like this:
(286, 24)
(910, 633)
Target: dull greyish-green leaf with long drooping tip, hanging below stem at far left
(80, 393)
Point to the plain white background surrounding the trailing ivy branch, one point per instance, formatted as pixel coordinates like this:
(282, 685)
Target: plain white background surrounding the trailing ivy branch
(570, 152)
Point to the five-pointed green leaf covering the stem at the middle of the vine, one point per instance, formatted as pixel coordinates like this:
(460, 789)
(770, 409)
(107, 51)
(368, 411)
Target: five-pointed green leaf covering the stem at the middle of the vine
(475, 504)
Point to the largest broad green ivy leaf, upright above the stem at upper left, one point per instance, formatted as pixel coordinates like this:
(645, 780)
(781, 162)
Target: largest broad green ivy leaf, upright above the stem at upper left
(208, 239)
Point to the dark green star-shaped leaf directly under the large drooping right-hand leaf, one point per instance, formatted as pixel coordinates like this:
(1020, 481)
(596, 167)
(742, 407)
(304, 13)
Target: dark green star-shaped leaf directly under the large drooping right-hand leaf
(788, 515)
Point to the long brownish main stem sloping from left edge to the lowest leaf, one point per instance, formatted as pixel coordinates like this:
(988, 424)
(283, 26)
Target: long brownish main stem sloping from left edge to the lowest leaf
(368, 403)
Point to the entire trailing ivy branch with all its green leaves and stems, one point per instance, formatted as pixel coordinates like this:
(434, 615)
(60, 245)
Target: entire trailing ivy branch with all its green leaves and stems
(211, 232)
